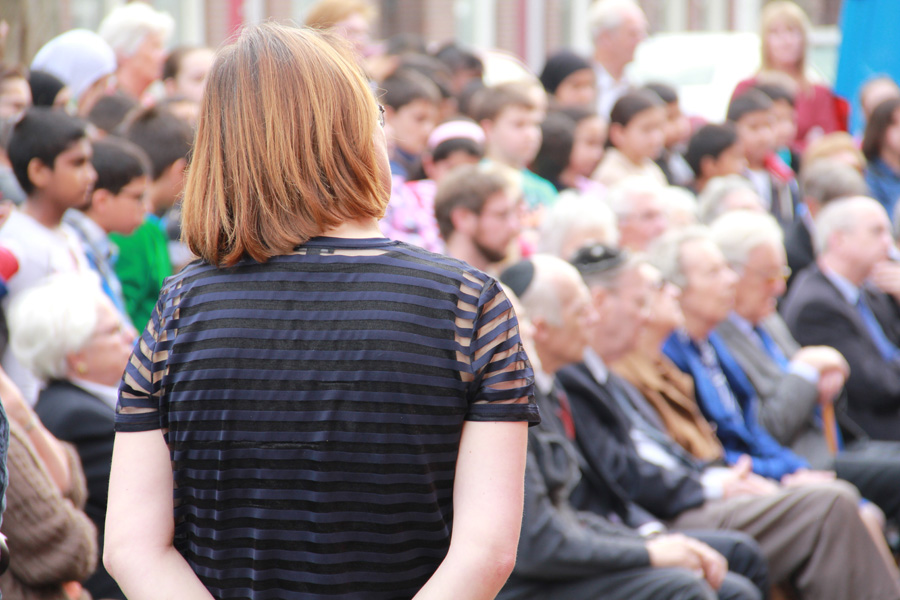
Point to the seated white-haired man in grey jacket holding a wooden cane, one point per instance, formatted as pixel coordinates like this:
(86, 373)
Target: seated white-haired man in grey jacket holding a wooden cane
(795, 386)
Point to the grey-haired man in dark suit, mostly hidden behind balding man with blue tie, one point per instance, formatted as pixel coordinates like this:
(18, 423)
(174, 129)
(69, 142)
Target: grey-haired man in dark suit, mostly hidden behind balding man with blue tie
(821, 182)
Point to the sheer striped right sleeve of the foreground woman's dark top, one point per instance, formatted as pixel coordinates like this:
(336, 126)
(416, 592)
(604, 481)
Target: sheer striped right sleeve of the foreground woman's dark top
(502, 387)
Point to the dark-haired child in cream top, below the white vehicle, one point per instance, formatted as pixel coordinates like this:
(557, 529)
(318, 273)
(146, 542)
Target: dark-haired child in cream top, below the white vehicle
(635, 139)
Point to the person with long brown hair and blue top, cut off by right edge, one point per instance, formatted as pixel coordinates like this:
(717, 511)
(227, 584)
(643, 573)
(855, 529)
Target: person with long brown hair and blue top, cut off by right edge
(881, 147)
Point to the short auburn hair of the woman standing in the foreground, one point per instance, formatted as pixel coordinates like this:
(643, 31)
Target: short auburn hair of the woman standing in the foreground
(284, 149)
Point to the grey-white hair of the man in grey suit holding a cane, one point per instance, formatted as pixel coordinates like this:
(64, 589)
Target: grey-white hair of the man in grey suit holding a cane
(738, 232)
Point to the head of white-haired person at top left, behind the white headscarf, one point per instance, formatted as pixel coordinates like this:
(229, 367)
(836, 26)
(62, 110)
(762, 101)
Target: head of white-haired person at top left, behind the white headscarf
(138, 35)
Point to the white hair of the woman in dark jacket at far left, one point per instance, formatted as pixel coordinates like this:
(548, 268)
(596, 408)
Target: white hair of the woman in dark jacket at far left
(43, 330)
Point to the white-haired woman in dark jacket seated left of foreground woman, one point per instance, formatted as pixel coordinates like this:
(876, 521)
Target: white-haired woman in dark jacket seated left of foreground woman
(79, 347)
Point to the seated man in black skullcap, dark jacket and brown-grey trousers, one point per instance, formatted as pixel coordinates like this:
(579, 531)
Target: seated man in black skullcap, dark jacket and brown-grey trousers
(804, 532)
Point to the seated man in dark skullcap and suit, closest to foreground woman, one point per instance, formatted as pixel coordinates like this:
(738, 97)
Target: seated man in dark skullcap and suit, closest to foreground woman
(566, 553)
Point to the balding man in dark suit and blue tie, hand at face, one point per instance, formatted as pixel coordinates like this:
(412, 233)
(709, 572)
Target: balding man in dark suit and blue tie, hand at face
(831, 303)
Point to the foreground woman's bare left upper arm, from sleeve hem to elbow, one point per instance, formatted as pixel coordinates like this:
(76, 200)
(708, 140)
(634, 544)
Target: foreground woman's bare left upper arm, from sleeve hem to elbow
(139, 511)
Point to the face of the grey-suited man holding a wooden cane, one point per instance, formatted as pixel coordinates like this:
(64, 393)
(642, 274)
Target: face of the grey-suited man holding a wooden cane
(761, 282)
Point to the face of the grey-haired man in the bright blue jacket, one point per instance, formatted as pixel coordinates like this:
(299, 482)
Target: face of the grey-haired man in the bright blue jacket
(708, 295)
